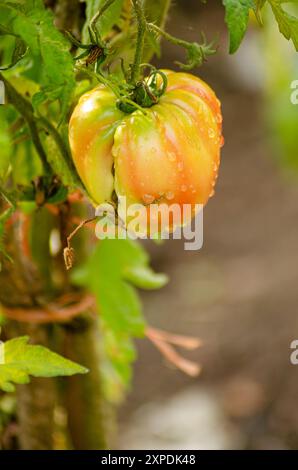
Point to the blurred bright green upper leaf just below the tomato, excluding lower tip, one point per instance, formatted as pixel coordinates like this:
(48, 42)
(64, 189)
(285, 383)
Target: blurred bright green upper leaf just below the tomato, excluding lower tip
(112, 264)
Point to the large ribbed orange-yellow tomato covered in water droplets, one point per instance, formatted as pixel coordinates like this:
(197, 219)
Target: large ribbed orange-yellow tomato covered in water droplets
(170, 153)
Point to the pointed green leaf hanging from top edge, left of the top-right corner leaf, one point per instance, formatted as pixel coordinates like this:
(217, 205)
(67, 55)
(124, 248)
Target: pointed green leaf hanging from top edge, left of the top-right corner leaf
(236, 18)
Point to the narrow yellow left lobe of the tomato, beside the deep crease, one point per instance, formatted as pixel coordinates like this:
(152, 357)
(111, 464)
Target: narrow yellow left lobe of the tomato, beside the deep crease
(91, 136)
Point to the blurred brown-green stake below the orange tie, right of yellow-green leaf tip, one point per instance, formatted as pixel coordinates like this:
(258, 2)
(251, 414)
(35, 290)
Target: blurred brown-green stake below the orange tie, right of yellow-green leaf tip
(86, 408)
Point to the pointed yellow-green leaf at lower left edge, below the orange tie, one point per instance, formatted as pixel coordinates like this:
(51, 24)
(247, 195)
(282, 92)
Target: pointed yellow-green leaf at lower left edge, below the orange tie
(19, 360)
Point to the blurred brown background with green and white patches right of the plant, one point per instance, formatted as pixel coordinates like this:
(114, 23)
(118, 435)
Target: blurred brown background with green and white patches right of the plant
(239, 293)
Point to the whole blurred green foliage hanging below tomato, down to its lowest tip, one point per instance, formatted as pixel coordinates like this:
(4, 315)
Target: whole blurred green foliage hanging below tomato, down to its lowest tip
(110, 272)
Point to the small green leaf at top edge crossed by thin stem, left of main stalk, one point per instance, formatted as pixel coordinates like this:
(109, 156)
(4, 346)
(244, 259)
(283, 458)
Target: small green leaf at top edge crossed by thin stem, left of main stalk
(109, 19)
